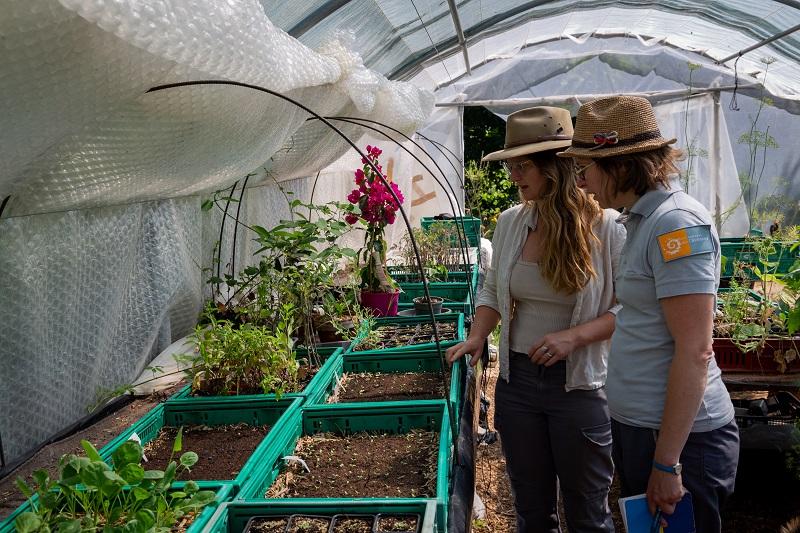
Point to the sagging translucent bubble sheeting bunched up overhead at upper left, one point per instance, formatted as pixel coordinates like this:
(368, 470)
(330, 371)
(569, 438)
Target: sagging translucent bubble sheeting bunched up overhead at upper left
(80, 131)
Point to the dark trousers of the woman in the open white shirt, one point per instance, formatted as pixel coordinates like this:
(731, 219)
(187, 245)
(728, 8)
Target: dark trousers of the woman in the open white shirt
(553, 437)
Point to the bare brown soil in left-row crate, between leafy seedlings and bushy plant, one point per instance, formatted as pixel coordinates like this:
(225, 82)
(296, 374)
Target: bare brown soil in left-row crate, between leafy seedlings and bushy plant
(222, 450)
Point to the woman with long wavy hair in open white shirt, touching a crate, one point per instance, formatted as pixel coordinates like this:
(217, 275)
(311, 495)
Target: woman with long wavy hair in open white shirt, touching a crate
(550, 285)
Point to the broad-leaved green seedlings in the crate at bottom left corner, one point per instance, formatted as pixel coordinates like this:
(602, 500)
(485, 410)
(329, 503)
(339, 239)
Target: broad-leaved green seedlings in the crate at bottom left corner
(92, 495)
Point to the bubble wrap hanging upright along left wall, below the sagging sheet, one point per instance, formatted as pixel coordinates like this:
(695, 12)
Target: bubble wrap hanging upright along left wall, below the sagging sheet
(86, 299)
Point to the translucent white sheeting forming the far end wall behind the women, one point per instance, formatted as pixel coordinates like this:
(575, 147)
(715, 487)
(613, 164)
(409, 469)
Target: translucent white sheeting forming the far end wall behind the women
(571, 71)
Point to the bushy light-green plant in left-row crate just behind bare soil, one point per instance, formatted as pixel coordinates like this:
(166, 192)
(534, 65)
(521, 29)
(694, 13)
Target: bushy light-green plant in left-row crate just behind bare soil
(247, 359)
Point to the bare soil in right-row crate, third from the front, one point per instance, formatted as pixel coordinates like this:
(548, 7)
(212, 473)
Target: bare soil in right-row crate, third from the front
(370, 387)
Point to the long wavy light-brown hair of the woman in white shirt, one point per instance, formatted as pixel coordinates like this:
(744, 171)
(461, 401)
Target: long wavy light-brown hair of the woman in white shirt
(567, 216)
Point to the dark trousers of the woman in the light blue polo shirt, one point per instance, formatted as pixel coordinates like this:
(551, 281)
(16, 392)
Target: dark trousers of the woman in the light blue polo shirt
(709, 462)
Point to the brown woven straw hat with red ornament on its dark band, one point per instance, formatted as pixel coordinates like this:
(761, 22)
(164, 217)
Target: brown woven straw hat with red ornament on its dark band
(615, 126)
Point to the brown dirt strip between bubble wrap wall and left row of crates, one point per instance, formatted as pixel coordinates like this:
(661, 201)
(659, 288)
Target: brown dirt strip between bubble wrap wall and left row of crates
(98, 434)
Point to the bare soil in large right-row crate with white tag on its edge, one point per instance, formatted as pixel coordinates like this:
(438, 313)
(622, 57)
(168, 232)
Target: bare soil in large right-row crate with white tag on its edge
(362, 466)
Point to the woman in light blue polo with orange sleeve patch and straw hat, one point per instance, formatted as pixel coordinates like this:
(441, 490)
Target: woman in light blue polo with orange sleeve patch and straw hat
(672, 418)
